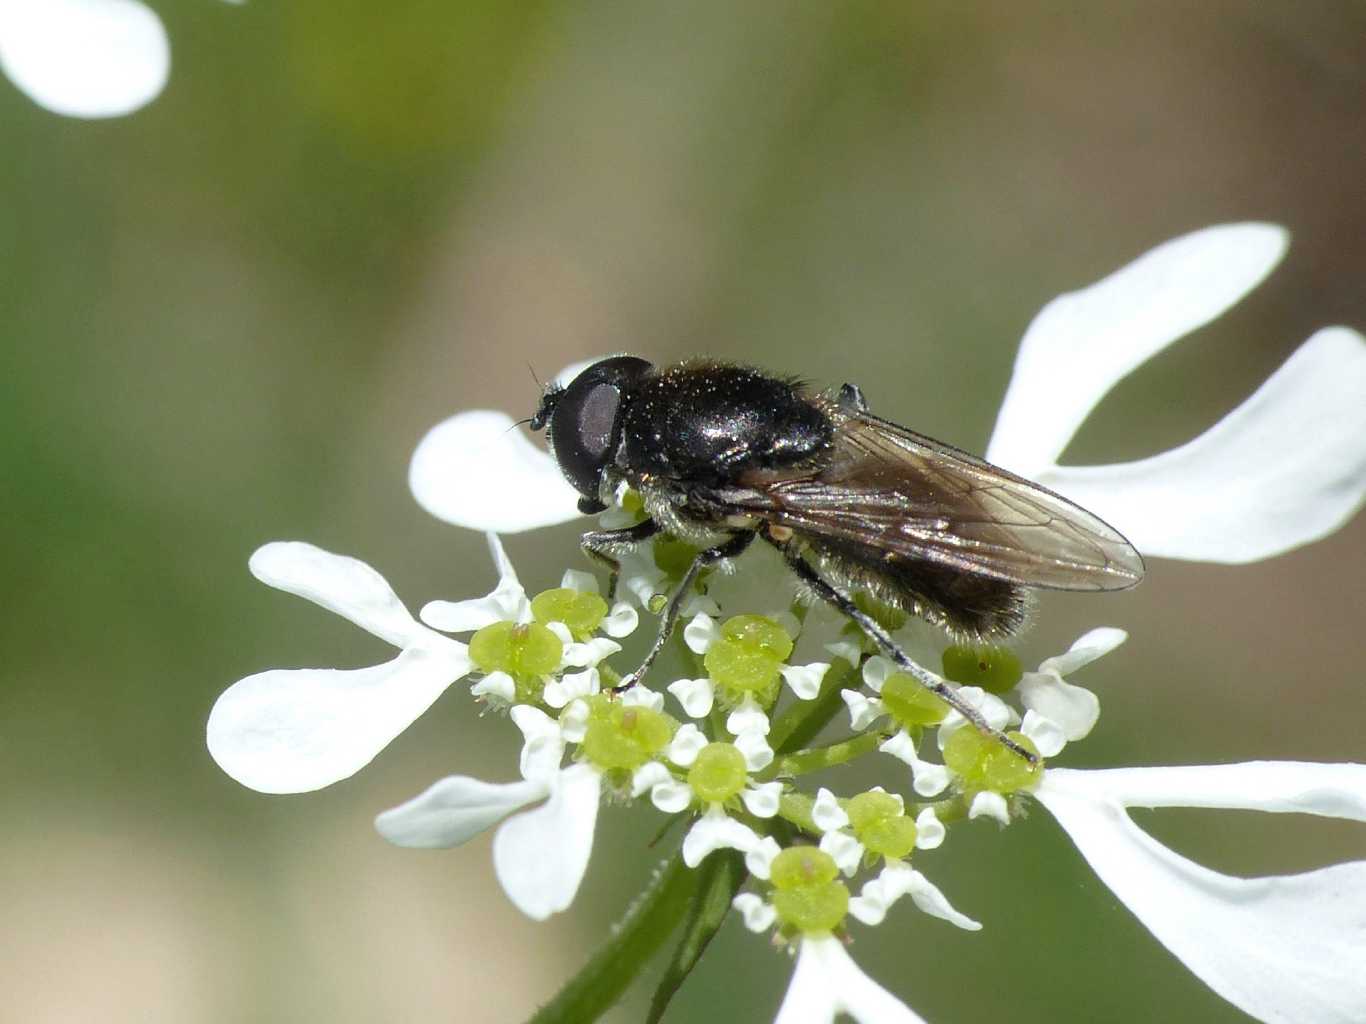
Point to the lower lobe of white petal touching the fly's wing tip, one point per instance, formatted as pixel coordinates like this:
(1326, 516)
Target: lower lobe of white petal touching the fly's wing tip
(1286, 468)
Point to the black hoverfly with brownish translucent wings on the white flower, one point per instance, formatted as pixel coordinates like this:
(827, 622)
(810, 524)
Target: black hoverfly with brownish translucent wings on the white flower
(722, 454)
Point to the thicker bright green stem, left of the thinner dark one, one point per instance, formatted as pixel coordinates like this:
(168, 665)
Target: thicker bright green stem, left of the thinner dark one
(647, 926)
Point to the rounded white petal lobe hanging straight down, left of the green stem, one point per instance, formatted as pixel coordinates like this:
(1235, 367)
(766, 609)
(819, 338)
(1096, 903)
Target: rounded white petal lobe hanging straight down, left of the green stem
(540, 855)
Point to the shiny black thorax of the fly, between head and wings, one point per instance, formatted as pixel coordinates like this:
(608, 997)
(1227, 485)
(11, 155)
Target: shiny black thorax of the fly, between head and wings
(704, 425)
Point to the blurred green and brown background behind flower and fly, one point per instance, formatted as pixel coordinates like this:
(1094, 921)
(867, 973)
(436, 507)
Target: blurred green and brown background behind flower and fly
(230, 317)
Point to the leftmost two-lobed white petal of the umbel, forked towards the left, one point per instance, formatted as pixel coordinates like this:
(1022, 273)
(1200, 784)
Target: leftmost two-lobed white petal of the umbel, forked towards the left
(292, 731)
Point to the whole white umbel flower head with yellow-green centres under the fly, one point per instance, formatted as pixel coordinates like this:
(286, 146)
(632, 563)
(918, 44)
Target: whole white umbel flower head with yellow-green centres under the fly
(733, 754)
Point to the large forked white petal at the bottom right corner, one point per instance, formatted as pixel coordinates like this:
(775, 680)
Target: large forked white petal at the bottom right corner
(1286, 948)
